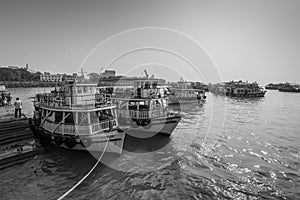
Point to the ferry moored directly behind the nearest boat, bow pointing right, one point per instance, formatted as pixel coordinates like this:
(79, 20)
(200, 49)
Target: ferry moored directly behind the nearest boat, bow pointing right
(143, 110)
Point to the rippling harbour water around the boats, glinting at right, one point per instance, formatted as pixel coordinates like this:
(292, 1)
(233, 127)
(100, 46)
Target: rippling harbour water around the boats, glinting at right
(226, 149)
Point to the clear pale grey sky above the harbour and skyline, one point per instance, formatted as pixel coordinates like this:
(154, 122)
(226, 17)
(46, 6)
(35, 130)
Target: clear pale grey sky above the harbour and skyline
(210, 41)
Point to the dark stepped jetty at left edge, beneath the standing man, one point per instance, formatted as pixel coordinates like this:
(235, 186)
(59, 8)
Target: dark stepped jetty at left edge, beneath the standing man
(17, 142)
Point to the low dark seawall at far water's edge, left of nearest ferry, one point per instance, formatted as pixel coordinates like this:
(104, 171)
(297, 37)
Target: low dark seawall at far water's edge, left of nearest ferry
(25, 84)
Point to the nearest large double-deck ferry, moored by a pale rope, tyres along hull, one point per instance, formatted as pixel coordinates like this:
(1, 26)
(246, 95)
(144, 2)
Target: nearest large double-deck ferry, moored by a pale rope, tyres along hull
(75, 117)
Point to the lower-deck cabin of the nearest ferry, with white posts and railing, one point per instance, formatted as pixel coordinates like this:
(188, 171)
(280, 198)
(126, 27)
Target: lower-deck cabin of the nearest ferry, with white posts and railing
(77, 122)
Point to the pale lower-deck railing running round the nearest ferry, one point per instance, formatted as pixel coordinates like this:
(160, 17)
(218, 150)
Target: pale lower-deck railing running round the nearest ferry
(76, 129)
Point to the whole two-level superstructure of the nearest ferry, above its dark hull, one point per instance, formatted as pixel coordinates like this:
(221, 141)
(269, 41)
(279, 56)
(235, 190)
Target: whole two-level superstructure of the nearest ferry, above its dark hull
(75, 109)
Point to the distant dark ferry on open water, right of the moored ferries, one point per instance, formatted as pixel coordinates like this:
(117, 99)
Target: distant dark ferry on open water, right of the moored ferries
(238, 89)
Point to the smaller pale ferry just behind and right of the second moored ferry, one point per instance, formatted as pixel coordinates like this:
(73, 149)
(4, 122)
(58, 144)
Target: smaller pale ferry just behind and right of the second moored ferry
(183, 93)
